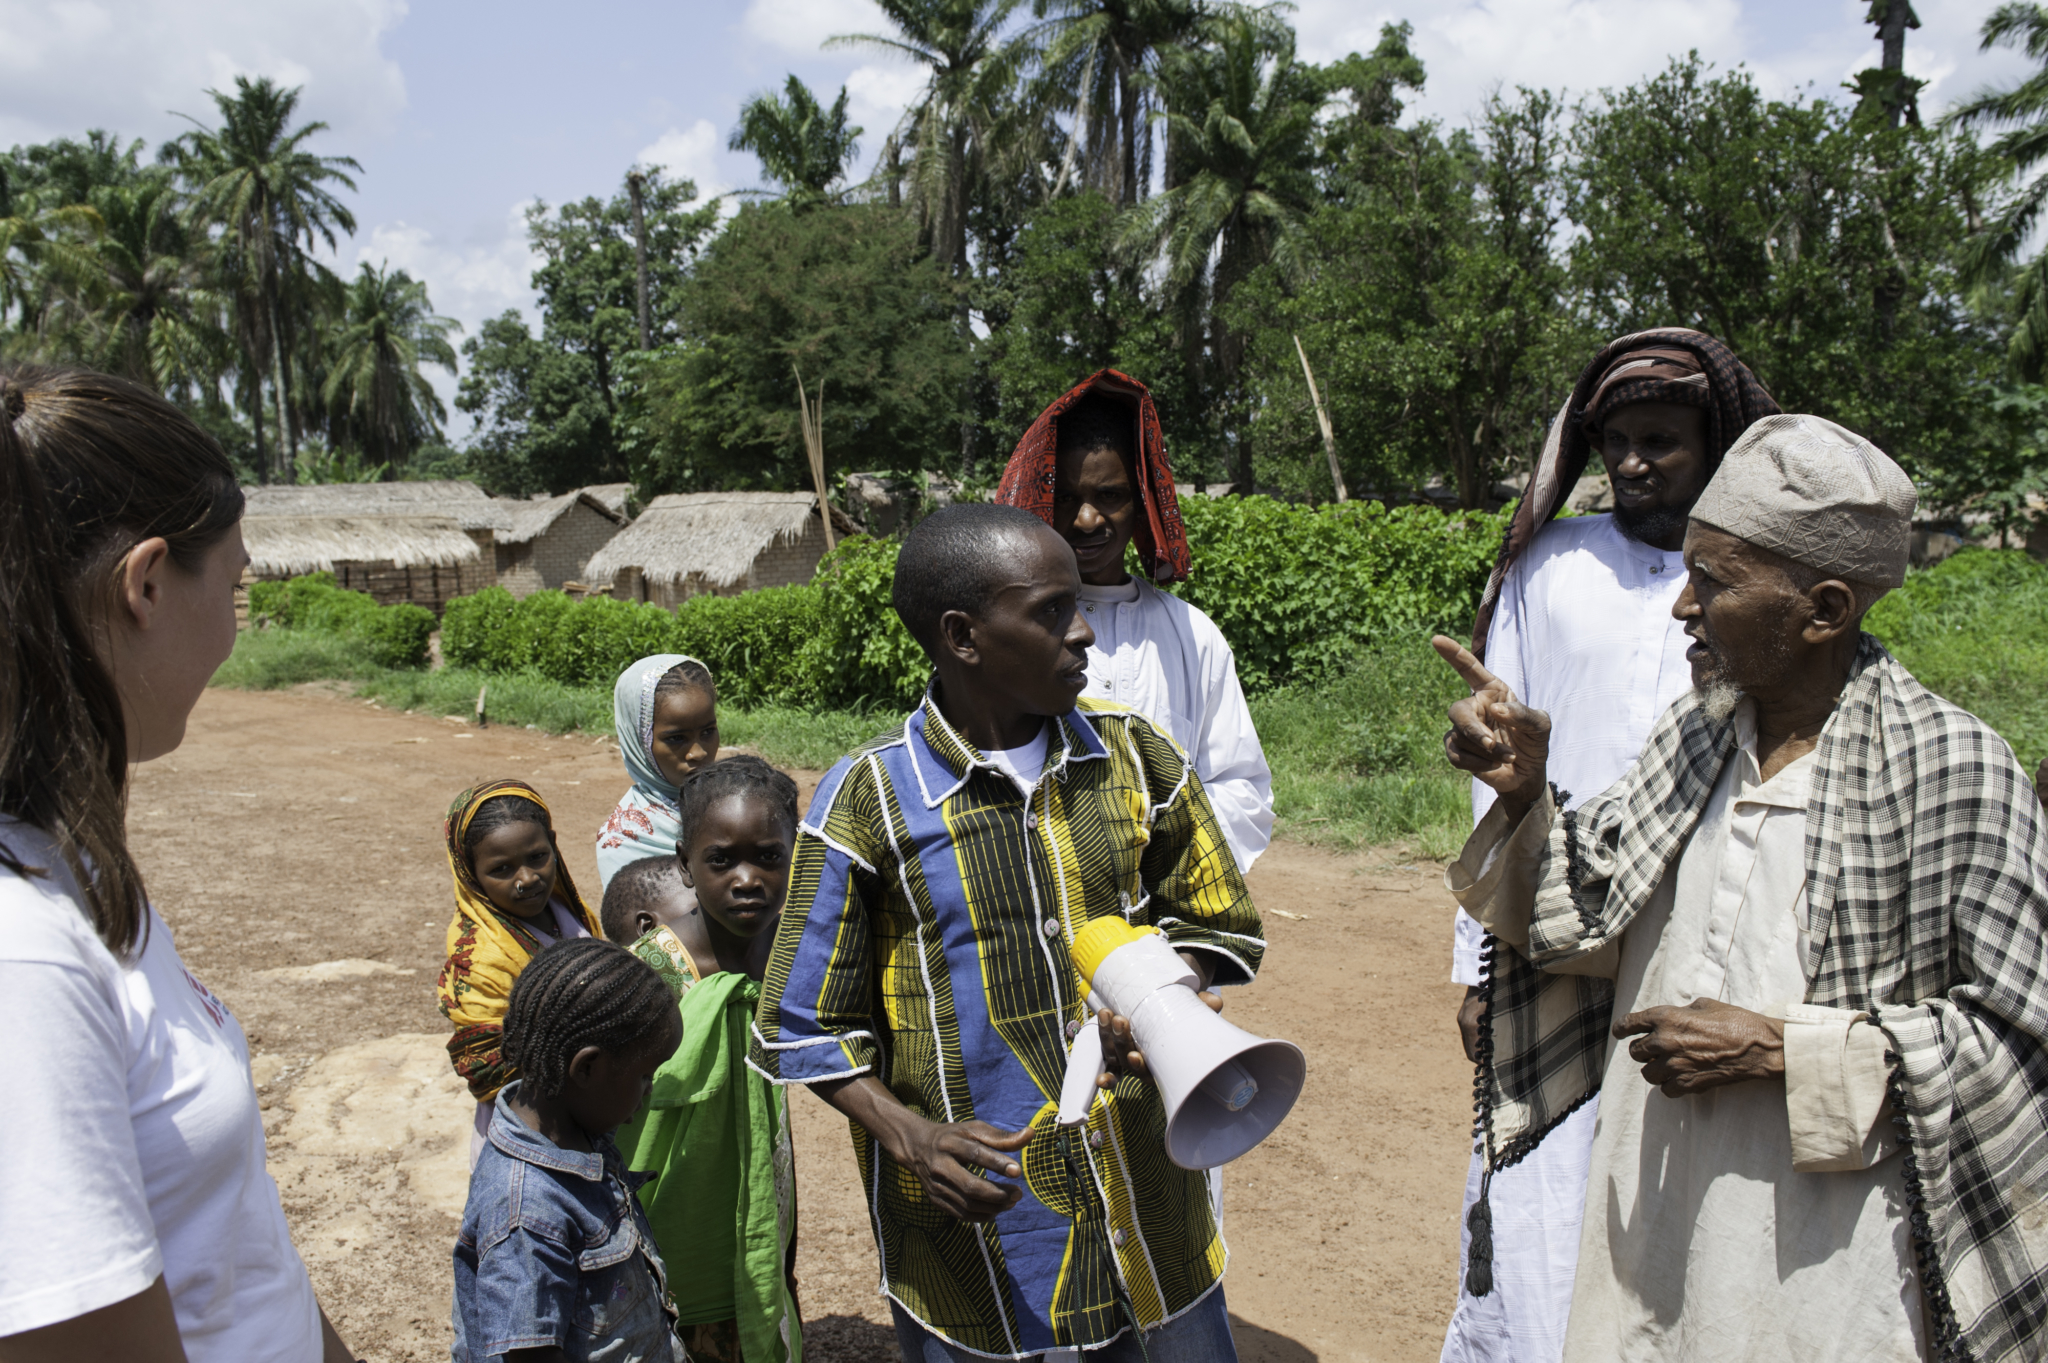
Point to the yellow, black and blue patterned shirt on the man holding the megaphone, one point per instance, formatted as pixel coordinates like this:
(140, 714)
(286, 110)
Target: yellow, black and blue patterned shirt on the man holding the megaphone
(927, 938)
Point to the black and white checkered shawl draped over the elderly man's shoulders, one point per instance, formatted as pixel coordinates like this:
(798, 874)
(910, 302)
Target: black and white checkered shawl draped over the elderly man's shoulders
(1926, 908)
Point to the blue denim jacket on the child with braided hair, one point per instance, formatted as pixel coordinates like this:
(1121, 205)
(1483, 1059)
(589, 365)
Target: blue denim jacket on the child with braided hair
(558, 1251)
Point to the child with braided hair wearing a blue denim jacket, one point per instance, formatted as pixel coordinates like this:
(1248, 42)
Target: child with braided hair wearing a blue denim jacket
(556, 1262)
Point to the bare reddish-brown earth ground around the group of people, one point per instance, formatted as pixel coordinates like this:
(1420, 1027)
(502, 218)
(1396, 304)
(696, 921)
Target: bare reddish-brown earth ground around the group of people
(294, 844)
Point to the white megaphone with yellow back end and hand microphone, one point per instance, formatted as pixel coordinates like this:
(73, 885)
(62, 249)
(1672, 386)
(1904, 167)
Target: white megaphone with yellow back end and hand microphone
(1224, 1088)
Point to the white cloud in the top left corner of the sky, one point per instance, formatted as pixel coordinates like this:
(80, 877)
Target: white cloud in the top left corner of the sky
(128, 64)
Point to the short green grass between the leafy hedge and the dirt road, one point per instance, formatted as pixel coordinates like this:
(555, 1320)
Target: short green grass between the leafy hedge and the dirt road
(1357, 758)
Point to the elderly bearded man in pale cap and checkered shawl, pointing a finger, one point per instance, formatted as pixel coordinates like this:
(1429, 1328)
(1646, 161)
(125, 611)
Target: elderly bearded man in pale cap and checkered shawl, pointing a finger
(1818, 912)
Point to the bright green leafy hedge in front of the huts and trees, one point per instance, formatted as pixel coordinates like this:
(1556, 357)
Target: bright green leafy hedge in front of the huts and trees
(1297, 592)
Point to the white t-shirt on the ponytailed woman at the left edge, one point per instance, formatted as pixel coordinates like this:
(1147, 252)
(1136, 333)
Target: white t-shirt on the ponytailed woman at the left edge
(134, 1143)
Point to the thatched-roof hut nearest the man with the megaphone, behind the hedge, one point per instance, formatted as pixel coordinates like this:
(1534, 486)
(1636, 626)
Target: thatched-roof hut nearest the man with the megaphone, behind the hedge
(716, 543)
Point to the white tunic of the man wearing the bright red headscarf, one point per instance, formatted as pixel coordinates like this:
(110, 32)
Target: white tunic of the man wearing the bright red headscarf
(1166, 660)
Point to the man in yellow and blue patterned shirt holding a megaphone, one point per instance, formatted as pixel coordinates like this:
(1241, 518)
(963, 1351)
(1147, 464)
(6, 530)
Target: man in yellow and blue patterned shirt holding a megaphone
(927, 983)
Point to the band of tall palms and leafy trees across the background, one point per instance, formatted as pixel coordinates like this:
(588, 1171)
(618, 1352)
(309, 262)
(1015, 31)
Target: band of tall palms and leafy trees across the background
(1166, 187)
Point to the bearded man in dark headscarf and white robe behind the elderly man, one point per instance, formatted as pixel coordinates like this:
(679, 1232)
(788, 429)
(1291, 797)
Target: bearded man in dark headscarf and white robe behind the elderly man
(1578, 619)
